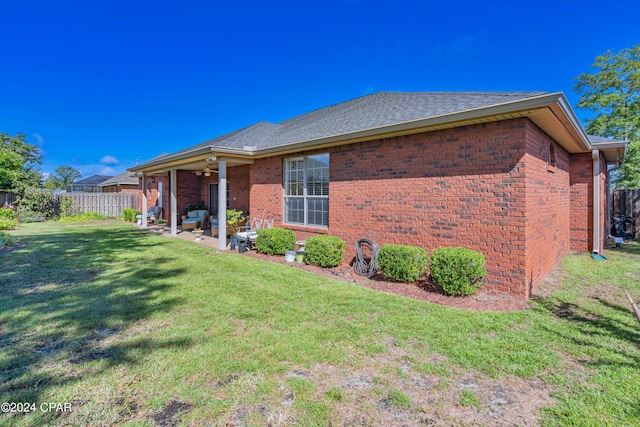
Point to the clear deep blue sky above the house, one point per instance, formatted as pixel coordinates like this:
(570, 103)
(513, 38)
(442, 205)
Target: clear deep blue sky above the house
(98, 84)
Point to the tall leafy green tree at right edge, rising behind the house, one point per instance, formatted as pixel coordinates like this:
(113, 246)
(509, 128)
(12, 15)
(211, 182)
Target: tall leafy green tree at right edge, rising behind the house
(612, 91)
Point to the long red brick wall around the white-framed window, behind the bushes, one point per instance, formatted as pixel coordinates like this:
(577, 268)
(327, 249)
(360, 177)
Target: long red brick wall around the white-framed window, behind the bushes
(461, 186)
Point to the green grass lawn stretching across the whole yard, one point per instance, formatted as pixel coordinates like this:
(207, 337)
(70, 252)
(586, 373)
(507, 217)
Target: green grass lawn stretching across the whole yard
(130, 328)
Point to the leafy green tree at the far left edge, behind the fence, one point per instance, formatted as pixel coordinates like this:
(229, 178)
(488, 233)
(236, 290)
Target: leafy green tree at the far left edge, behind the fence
(18, 163)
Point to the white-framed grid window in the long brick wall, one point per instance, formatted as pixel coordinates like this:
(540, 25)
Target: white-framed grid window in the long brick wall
(306, 190)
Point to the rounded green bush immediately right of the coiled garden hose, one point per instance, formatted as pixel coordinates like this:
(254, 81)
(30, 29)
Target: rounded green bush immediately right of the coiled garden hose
(402, 263)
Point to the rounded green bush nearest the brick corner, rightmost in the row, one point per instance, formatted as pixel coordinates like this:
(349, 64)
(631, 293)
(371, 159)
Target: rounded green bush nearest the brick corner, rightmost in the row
(458, 270)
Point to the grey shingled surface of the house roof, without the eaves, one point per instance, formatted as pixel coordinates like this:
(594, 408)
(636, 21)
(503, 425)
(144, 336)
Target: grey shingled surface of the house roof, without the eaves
(367, 112)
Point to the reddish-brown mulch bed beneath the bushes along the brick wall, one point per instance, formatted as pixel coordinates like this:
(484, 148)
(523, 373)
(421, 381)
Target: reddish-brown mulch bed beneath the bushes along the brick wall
(423, 290)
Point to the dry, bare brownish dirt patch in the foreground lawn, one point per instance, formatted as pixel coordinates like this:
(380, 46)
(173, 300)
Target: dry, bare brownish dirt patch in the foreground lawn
(392, 388)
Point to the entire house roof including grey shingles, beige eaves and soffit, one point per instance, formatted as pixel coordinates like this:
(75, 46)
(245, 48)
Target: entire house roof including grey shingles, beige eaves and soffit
(386, 114)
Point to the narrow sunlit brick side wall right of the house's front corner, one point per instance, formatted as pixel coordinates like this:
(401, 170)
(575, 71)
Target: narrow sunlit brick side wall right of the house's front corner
(548, 205)
